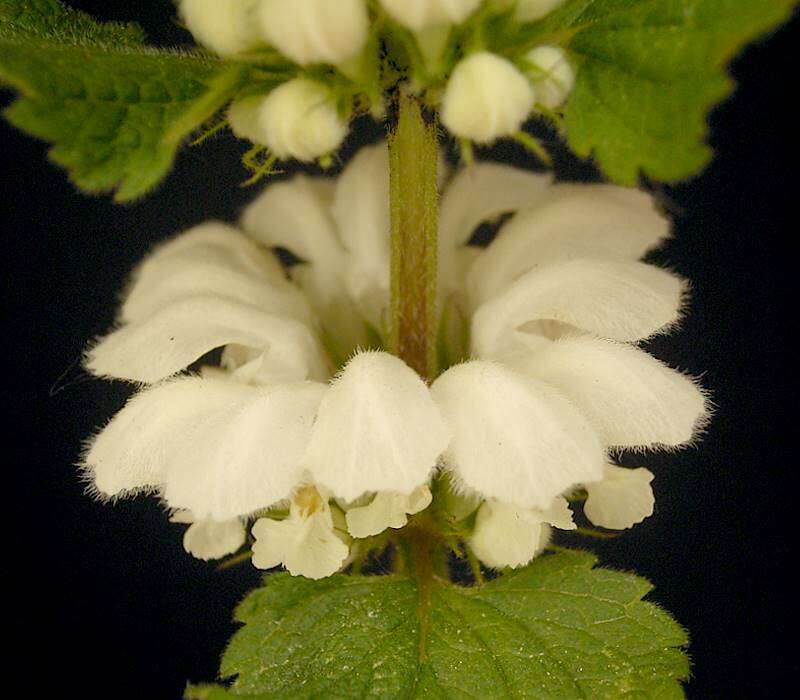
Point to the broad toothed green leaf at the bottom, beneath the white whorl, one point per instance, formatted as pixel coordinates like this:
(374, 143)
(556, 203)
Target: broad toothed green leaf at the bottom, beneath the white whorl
(556, 629)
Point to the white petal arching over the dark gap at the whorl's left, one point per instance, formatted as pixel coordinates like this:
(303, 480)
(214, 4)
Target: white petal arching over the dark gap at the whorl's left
(171, 339)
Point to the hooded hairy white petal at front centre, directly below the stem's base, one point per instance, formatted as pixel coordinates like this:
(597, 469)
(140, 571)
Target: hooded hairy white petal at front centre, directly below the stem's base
(377, 429)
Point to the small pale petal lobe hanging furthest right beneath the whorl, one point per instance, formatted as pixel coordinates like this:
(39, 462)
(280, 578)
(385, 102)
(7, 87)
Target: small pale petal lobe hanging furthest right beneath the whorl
(623, 498)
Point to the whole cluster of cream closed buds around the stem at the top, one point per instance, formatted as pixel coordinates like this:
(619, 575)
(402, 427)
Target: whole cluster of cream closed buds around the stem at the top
(326, 64)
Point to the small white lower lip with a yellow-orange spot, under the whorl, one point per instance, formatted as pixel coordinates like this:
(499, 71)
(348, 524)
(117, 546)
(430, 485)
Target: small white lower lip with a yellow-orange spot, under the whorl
(306, 542)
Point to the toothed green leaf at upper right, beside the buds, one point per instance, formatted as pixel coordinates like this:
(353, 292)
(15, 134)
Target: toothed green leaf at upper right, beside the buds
(649, 71)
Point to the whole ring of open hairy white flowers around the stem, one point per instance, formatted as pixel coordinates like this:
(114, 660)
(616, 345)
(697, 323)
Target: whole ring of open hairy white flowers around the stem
(307, 431)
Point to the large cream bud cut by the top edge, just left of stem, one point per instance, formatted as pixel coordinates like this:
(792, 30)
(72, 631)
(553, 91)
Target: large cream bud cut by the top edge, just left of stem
(315, 31)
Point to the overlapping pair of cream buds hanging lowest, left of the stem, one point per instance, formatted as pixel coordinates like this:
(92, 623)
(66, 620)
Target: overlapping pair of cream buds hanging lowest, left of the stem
(296, 120)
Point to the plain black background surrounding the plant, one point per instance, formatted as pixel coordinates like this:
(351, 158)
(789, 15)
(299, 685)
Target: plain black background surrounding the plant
(107, 604)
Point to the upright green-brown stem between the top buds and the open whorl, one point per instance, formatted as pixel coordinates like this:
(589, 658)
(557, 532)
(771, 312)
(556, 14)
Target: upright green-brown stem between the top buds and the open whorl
(414, 214)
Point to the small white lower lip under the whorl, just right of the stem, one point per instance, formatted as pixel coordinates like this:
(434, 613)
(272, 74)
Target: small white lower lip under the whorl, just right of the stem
(507, 536)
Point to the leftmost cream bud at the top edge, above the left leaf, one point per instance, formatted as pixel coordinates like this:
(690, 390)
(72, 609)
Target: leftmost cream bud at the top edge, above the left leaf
(224, 26)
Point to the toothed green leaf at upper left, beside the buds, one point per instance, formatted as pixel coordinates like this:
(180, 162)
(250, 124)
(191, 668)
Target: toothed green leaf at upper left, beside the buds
(115, 110)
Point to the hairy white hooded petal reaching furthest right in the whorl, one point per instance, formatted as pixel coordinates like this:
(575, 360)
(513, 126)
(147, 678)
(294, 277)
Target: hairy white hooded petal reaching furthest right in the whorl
(631, 399)
